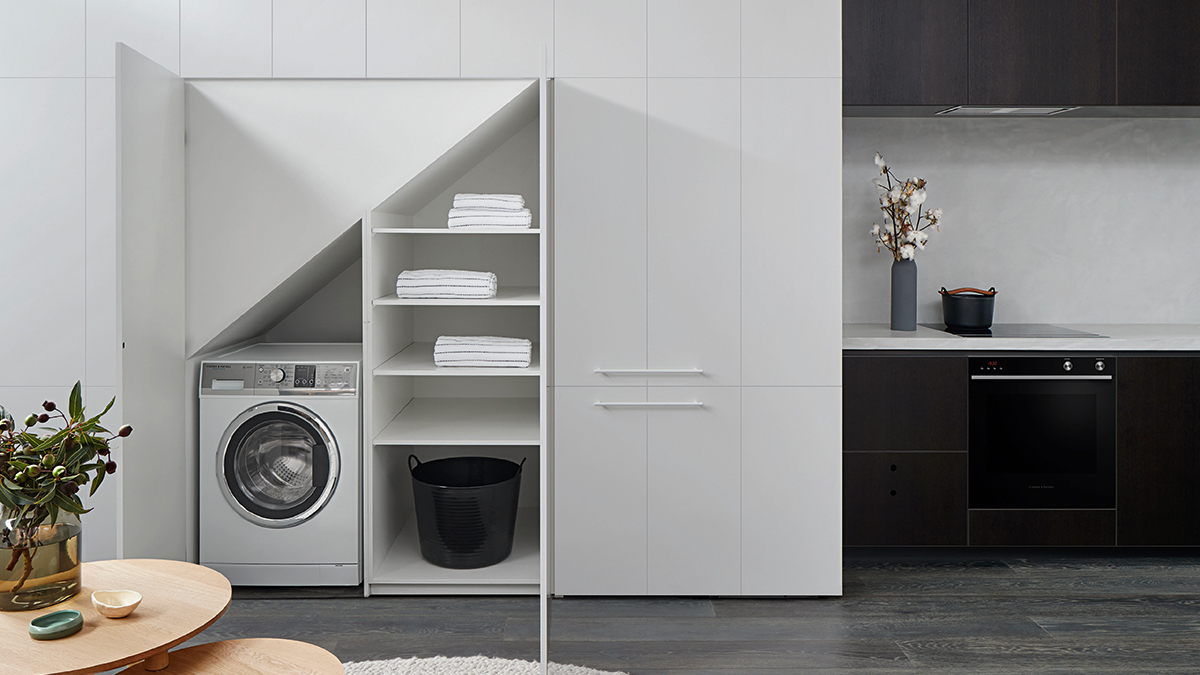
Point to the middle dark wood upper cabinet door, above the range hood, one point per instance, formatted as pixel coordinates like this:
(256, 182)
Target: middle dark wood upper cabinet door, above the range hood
(1043, 52)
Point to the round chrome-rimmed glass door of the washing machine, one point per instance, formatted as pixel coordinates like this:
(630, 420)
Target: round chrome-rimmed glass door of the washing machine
(278, 464)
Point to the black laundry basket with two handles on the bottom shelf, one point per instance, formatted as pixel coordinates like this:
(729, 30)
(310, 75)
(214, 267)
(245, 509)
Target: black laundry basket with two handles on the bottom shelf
(466, 510)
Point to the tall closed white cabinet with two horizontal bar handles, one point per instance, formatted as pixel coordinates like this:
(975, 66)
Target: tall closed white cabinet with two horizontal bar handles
(698, 427)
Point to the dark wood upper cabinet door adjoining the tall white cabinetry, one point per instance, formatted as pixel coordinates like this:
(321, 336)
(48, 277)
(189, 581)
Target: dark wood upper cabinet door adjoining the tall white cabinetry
(904, 52)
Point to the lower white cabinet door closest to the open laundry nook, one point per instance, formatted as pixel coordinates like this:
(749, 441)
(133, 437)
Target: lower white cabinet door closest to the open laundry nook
(599, 492)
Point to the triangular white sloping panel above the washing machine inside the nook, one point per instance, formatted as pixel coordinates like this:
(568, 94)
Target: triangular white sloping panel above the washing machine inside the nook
(269, 190)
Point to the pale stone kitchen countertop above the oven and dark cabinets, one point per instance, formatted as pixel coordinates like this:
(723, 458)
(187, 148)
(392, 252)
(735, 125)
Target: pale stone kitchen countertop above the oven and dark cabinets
(1118, 338)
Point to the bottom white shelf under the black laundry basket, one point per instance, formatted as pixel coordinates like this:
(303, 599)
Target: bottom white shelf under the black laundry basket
(404, 570)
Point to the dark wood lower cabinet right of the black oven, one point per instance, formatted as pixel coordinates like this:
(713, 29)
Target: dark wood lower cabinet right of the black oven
(1159, 451)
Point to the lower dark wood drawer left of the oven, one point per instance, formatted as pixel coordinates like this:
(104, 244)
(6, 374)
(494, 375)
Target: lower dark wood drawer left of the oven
(905, 499)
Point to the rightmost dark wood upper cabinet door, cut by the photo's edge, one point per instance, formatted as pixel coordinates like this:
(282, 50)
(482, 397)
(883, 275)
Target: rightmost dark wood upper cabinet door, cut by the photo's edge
(1159, 53)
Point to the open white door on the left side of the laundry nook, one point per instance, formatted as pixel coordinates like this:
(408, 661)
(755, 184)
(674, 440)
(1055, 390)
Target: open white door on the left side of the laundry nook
(151, 222)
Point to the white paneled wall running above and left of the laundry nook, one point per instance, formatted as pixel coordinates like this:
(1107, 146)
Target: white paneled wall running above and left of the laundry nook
(58, 120)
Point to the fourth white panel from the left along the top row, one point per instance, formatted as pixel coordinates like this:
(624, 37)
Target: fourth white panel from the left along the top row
(320, 39)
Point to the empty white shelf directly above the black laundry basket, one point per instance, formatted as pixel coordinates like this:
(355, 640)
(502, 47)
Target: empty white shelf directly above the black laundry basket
(465, 422)
